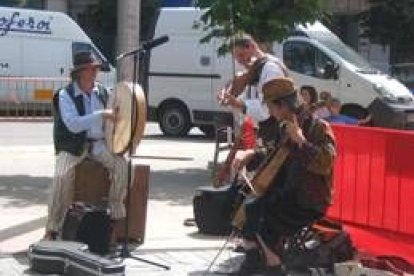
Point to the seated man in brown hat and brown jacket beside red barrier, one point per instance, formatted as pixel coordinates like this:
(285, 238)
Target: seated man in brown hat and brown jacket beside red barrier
(298, 177)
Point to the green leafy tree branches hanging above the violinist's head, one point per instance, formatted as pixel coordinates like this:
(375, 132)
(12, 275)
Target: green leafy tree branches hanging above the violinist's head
(266, 20)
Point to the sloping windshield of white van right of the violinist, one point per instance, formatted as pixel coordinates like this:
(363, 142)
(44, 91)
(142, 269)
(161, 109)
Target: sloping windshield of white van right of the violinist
(336, 45)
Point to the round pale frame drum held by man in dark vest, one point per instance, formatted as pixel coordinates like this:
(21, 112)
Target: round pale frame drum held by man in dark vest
(132, 115)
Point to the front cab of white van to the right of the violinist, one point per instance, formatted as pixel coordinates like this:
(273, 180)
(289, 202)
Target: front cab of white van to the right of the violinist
(316, 57)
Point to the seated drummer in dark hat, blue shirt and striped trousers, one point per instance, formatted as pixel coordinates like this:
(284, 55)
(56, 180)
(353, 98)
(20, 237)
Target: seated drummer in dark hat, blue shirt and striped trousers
(79, 114)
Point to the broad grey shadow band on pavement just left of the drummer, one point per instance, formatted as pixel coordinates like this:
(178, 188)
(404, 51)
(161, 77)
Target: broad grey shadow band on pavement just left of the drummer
(23, 190)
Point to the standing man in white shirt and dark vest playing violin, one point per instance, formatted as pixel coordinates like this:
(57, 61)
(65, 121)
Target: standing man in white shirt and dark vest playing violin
(244, 92)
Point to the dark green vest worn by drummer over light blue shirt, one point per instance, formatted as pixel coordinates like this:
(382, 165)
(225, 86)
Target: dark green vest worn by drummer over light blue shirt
(64, 139)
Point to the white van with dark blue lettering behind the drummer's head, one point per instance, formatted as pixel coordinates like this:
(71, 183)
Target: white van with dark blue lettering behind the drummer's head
(36, 56)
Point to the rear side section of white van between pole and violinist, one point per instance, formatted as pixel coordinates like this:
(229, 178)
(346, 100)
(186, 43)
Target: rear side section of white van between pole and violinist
(184, 75)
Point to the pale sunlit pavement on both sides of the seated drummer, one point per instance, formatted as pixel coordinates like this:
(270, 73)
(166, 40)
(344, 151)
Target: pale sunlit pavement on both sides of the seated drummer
(26, 173)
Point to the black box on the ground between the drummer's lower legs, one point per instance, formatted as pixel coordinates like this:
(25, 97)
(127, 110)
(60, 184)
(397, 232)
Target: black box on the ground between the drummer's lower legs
(89, 224)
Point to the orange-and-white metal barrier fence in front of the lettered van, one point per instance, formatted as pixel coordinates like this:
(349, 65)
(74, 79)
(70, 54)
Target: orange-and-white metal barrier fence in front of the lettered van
(28, 97)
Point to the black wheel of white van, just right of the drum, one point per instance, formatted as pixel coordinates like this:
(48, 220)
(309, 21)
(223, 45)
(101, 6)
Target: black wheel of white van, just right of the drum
(174, 120)
